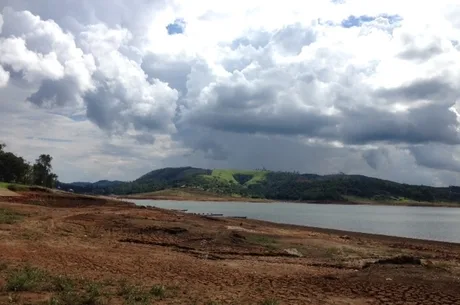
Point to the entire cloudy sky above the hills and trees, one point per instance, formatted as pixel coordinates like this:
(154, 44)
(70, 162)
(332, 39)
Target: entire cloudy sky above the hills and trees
(115, 88)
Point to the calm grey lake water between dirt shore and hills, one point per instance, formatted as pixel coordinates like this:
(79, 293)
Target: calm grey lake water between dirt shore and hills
(416, 222)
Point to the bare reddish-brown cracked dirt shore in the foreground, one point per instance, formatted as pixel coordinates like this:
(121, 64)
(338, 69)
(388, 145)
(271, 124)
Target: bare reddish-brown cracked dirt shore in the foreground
(214, 261)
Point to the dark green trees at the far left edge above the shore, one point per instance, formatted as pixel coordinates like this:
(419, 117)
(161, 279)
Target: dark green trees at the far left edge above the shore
(15, 169)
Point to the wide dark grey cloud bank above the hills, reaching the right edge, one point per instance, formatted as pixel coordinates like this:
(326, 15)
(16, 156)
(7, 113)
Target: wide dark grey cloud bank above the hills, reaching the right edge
(258, 108)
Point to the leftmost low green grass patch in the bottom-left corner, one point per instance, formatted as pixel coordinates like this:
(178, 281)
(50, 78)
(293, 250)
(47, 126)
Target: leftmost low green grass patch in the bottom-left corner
(27, 279)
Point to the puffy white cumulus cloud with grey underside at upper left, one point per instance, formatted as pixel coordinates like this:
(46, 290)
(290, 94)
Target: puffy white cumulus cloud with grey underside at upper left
(88, 70)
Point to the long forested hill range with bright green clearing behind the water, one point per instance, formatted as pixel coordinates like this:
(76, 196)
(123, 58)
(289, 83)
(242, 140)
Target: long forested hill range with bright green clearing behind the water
(270, 185)
